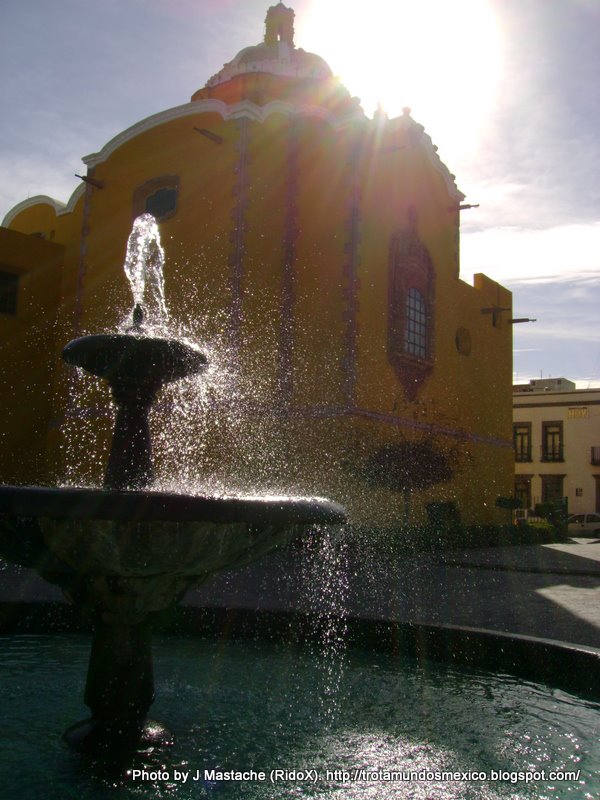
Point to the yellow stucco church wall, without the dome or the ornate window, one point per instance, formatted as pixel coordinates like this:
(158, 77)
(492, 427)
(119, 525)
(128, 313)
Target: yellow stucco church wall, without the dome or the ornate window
(290, 181)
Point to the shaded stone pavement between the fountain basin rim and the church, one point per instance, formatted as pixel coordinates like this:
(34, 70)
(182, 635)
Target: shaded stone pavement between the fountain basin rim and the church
(548, 591)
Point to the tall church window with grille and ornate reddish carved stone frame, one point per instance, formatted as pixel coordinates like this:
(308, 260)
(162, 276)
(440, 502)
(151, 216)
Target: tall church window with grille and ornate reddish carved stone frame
(410, 308)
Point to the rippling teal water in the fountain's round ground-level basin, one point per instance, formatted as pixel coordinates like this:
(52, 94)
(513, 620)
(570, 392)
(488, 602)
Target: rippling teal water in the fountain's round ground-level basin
(298, 723)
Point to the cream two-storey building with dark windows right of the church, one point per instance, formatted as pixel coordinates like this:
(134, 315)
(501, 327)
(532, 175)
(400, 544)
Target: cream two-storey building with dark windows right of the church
(556, 430)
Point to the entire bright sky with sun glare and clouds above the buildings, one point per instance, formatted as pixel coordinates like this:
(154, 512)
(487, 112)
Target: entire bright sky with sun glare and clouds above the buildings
(509, 91)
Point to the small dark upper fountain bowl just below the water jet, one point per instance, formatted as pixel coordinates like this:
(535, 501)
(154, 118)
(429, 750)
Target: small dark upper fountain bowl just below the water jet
(130, 357)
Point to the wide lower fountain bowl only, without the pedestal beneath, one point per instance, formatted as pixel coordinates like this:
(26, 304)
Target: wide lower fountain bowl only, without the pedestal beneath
(132, 553)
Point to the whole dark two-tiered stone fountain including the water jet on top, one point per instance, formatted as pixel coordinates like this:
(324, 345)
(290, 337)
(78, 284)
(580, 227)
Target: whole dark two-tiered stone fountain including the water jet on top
(126, 551)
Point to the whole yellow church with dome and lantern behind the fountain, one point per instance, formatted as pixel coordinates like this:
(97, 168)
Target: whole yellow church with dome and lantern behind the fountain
(314, 253)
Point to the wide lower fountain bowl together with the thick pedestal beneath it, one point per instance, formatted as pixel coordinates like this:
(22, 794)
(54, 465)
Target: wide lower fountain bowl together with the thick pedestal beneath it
(126, 555)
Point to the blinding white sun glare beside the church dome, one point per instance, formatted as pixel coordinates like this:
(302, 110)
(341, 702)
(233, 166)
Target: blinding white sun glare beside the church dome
(442, 59)
